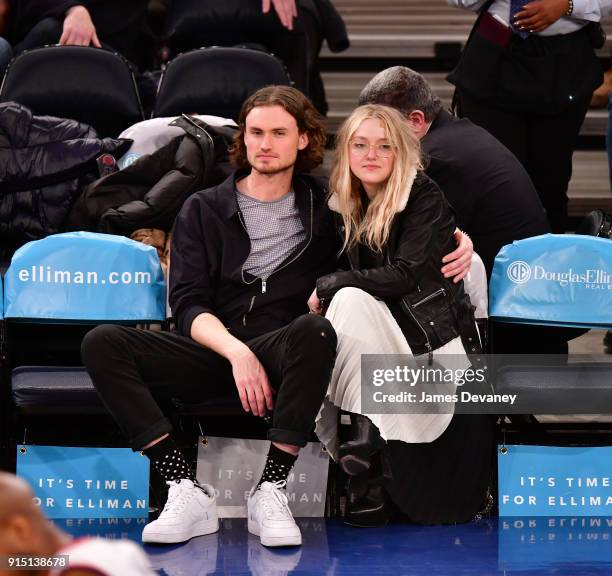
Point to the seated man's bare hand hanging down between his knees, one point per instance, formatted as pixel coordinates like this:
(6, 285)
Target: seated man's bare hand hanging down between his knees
(251, 379)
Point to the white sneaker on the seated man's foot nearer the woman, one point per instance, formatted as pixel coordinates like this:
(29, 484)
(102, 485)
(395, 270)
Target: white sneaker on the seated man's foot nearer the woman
(270, 517)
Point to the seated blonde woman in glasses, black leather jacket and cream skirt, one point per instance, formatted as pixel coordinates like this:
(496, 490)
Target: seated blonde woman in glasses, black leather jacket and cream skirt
(395, 226)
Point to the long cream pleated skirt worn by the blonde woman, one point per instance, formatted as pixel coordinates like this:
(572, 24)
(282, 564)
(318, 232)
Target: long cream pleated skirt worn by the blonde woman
(365, 325)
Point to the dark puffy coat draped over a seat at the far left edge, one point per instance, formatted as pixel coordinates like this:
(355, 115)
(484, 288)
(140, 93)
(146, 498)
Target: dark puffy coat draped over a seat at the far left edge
(44, 164)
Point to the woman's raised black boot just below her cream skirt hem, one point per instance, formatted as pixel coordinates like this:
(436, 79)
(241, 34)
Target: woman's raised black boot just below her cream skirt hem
(355, 455)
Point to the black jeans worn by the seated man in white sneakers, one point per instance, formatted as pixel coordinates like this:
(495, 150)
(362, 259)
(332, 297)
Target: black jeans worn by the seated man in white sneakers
(130, 368)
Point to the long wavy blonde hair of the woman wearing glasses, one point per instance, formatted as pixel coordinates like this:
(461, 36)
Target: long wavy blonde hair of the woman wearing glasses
(371, 226)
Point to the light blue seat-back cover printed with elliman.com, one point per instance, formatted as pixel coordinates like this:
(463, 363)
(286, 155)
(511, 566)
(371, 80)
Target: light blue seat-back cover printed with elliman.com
(83, 276)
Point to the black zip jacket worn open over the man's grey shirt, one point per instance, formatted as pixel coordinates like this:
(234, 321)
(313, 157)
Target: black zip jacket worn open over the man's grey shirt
(210, 245)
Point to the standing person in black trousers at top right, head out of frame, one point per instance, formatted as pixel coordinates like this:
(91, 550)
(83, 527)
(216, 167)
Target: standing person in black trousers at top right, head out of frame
(527, 75)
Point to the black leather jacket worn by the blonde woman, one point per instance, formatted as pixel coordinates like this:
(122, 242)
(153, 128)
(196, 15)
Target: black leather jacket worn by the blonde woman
(426, 306)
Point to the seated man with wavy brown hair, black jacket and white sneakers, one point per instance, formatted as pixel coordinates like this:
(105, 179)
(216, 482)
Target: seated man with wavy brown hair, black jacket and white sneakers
(245, 257)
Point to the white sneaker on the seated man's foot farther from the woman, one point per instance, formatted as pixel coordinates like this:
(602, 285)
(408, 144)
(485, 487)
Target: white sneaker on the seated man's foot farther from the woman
(191, 510)
